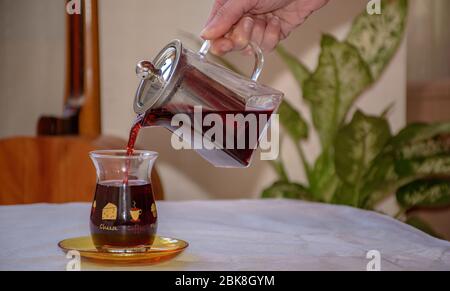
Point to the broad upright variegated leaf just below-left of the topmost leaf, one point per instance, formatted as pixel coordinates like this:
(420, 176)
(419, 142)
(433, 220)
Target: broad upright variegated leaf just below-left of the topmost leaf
(339, 79)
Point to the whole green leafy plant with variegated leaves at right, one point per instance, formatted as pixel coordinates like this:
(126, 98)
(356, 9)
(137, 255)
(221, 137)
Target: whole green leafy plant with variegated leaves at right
(361, 161)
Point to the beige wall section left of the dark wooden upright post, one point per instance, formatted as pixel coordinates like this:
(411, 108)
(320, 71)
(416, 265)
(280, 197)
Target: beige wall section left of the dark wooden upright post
(31, 63)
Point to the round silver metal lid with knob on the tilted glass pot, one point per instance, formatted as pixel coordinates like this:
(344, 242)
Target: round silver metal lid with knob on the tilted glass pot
(157, 77)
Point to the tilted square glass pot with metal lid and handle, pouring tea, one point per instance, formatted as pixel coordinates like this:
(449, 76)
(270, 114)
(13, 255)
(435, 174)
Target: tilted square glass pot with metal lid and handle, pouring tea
(229, 111)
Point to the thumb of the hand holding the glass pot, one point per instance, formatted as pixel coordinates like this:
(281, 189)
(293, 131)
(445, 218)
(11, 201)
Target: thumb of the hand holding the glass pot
(225, 17)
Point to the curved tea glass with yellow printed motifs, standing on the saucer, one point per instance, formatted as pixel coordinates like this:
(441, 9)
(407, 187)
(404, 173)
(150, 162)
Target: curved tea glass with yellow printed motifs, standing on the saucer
(123, 214)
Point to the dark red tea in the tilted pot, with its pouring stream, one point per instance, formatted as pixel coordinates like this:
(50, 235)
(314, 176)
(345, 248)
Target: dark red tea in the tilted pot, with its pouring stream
(200, 90)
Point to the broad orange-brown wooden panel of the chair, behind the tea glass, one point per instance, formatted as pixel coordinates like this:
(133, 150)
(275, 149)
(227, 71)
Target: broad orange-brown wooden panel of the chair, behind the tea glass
(53, 169)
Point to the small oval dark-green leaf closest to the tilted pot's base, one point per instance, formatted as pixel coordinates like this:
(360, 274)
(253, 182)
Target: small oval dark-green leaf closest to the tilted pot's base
(293, 122)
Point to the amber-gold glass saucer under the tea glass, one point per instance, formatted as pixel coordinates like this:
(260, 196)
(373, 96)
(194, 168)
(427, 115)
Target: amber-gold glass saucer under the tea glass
(162, 249)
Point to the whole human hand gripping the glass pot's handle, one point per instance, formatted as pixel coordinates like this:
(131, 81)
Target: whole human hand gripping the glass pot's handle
(232, 24)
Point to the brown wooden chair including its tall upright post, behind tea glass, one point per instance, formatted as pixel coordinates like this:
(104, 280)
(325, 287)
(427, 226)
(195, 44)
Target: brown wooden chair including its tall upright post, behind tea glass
(55, 167)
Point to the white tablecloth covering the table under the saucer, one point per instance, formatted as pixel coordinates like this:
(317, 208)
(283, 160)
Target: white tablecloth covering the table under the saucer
(233, 235)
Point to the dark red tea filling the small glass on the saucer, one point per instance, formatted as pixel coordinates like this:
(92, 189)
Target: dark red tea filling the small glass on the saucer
(123, 215)
